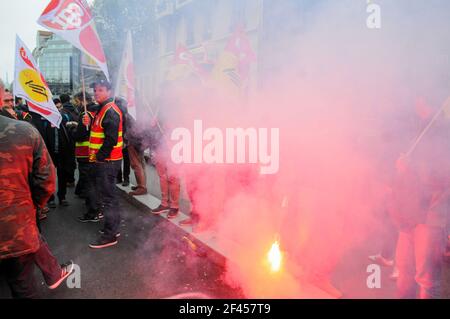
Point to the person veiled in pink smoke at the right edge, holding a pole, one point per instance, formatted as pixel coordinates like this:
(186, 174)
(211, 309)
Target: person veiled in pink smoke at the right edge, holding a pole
(418, 208)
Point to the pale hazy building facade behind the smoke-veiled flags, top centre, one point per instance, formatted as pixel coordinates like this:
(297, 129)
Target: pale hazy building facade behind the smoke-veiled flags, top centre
(202, 26)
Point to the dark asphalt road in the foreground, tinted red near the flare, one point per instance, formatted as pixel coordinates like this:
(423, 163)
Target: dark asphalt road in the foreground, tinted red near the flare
(150, 261)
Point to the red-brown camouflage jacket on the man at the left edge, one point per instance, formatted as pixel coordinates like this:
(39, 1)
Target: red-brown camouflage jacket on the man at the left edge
(27, 180)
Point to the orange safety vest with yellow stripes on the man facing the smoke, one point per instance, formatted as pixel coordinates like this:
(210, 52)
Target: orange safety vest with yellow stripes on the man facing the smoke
(97, 136)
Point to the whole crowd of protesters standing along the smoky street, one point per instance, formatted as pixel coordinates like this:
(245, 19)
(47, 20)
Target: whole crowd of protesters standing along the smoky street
(100, 139)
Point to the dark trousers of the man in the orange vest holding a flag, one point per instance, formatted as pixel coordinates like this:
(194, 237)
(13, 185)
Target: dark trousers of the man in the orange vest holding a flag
(105, 175)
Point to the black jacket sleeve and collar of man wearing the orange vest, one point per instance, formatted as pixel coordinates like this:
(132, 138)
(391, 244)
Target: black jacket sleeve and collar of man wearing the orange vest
(111, 124)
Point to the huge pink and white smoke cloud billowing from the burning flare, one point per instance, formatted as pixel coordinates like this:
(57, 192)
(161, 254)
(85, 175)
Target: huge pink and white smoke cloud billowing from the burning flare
(347, 100)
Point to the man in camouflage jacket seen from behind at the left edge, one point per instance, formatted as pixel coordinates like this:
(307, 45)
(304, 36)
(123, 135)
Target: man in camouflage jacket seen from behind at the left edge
(30, 182)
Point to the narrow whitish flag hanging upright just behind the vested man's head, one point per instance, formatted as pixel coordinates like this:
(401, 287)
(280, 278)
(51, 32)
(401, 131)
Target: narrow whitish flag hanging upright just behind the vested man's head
(125, 87)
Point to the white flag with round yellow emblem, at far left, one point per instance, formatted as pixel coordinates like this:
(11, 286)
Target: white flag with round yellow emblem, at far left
(30, 85)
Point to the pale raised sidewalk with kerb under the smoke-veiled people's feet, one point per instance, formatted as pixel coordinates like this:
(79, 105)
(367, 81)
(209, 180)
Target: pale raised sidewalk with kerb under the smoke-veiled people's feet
(207, 238)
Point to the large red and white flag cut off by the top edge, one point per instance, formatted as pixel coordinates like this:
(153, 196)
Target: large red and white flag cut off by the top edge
(73, 21)
